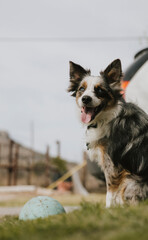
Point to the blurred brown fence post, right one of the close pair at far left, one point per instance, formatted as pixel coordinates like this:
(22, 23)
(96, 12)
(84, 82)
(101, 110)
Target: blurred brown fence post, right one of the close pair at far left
(15, 164)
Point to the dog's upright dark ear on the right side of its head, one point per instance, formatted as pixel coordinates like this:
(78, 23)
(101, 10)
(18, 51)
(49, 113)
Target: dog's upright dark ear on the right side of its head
(113, 72)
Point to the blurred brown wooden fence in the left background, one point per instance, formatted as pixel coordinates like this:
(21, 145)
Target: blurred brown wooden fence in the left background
(15, 157)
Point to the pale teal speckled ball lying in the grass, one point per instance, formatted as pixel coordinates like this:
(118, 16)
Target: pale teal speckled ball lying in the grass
(40, 207)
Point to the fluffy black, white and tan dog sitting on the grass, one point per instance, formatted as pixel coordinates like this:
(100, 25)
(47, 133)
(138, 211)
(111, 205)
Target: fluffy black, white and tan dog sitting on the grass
(116, 132)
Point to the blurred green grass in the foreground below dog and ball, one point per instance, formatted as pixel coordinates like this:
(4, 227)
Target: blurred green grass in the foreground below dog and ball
(92, 222)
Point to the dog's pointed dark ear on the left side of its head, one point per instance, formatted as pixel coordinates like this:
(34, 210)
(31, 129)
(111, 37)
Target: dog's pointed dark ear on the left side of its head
(76, 75)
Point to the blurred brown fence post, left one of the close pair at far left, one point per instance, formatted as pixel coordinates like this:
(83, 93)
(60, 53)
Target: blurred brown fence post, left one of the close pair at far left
(10, 159)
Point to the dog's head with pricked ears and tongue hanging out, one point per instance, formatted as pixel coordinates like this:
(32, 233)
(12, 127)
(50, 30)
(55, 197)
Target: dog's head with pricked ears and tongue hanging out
(95, 94)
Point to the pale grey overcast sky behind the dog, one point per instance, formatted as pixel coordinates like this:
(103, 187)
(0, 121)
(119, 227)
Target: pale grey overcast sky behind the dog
(34, 74)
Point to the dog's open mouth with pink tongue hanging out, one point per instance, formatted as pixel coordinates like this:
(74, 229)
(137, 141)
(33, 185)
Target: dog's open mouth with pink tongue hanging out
(89, 113)
